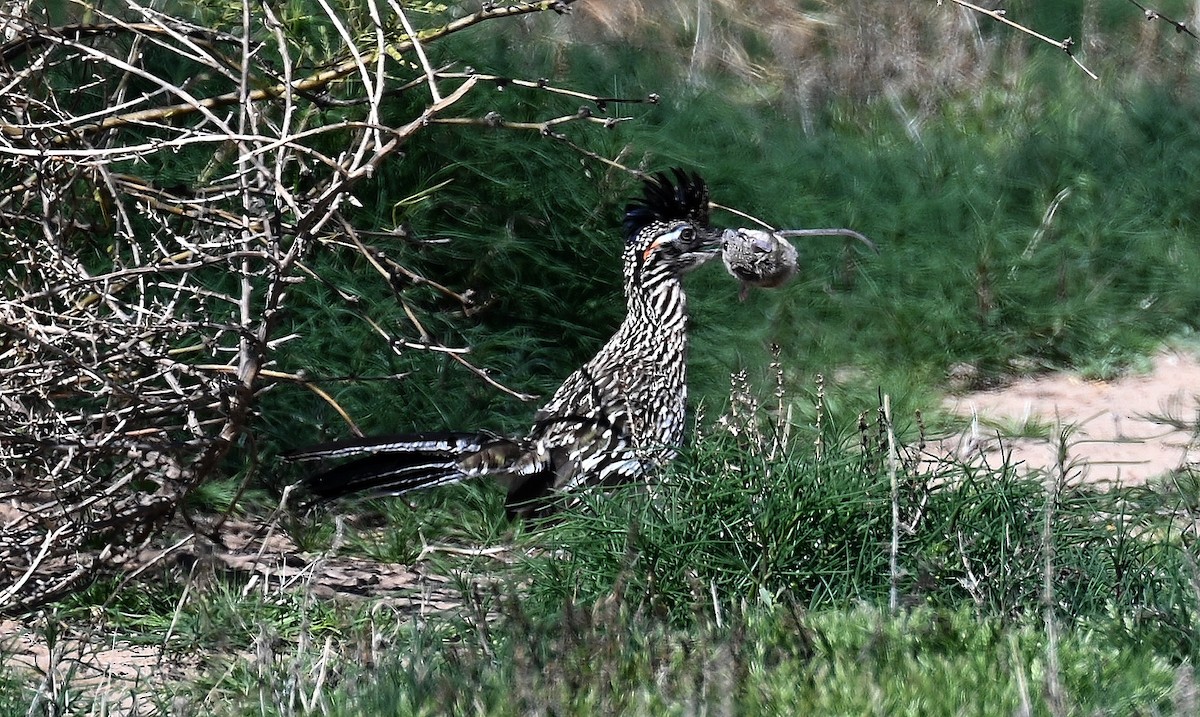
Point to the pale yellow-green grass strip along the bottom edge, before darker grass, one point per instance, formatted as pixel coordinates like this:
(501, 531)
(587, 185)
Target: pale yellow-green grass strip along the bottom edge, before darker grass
(772, 660)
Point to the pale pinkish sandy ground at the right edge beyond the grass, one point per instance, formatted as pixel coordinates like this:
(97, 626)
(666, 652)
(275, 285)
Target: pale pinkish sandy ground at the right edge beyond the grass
(1125, 431)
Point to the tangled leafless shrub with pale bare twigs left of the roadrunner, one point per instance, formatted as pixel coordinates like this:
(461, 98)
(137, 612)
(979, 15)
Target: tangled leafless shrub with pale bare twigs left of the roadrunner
(140, 318)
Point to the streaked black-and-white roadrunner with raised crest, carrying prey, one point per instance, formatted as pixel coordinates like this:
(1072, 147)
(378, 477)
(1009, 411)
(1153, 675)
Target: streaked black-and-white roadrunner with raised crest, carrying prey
(613, 421)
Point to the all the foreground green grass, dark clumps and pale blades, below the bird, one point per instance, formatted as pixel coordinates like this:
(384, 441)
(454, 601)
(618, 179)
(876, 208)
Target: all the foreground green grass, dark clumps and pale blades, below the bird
(755, 581)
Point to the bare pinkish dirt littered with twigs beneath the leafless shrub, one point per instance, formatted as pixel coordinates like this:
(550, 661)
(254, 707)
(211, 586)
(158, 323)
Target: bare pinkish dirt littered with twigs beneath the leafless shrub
(86, 664)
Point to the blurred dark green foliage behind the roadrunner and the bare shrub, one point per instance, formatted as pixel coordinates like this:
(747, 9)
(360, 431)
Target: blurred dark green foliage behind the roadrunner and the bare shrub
(956, 197)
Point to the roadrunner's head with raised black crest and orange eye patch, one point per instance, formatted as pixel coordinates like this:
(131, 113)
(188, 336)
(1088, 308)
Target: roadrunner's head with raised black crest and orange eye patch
(667, 231)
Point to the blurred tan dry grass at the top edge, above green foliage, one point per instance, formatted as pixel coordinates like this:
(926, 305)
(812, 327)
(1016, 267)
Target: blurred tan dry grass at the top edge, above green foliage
(857, 50)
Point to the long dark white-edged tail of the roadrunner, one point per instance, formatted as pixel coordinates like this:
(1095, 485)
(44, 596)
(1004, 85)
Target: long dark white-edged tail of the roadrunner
(393, 466)
